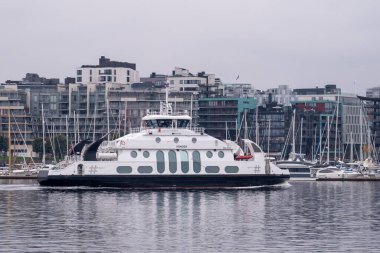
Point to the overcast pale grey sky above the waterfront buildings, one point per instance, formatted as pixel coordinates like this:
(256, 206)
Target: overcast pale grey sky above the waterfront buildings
(301, 43)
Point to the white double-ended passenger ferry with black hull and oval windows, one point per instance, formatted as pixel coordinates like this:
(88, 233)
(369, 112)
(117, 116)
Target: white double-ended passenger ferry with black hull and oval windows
(164, 153)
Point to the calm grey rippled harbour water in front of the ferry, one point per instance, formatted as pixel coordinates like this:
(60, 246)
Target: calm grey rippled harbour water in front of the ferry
(299, 217)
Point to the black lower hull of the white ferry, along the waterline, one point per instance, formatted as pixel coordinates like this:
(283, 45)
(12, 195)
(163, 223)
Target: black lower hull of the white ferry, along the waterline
(160, 181)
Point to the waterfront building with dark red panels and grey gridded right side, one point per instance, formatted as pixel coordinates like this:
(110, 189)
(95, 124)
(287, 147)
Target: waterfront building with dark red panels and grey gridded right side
(315, 108)
